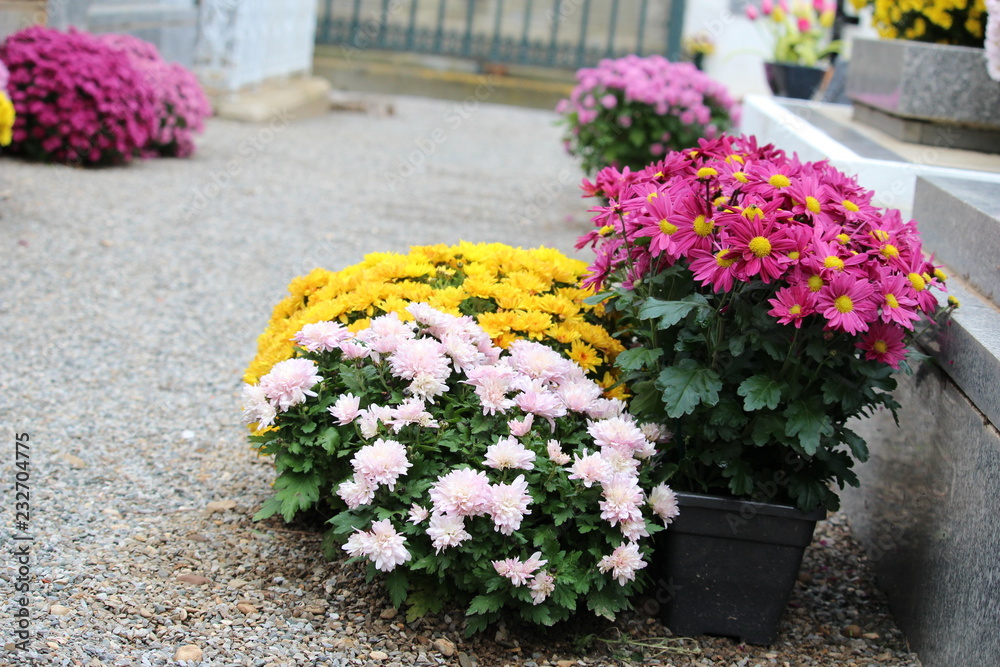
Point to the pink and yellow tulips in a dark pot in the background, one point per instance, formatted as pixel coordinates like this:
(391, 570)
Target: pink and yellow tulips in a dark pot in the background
(801, 34)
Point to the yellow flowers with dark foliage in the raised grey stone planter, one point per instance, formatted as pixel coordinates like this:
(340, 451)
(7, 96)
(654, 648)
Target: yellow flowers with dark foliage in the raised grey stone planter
(958, 22)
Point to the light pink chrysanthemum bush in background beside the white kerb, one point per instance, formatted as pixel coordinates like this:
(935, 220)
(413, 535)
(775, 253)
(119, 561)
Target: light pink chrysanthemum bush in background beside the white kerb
(633, 110)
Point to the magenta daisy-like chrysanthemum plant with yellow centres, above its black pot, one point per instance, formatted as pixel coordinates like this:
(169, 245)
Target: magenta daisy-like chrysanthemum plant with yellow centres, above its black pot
(765, 302)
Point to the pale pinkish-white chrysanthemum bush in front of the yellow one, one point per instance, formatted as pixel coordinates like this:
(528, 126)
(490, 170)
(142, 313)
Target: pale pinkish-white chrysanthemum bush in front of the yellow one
(497, 478)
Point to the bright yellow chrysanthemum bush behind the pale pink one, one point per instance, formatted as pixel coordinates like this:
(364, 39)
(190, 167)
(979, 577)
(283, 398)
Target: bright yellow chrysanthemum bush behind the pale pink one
(511, 292)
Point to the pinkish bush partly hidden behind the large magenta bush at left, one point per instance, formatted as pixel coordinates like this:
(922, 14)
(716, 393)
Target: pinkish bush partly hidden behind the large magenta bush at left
(182, 106)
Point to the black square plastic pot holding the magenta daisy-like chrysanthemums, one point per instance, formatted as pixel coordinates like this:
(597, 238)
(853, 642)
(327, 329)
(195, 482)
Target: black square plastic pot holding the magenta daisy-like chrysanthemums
(726, 567)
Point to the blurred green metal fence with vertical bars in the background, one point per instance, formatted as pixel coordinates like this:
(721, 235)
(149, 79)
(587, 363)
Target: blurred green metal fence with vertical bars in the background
(549, 33)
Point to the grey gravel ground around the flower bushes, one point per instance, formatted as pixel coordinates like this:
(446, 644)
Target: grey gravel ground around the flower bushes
(130, 300)
